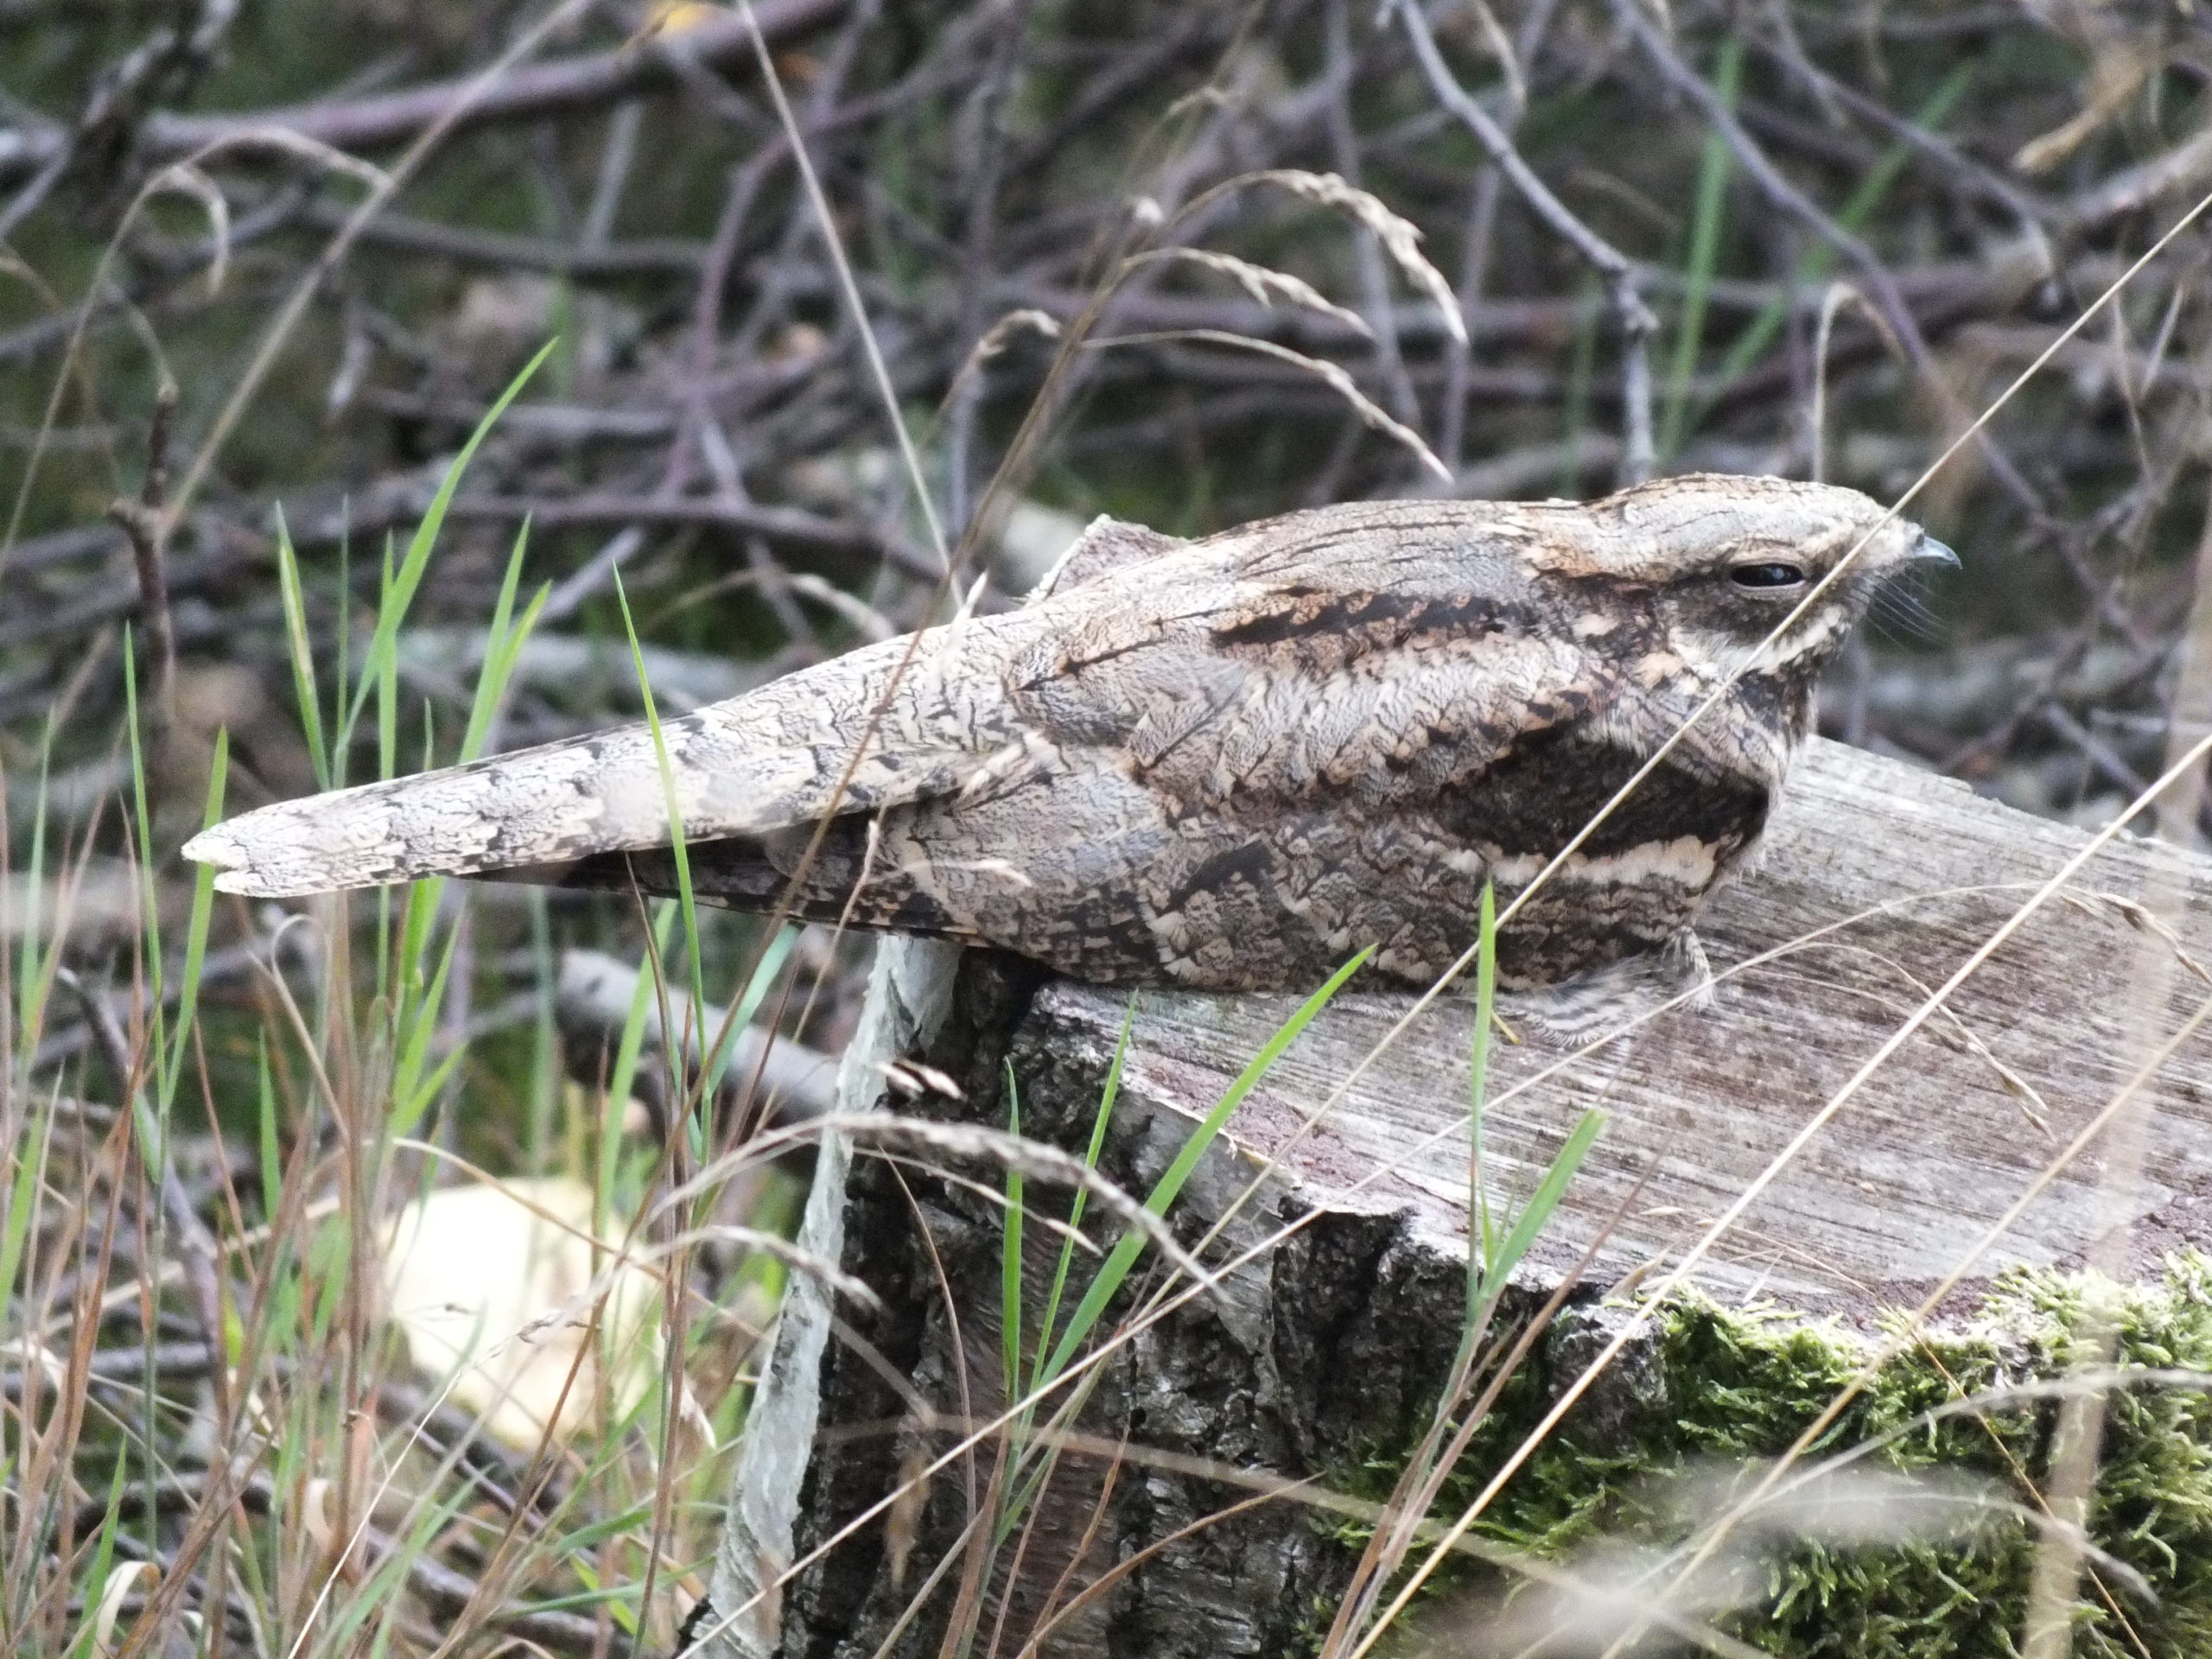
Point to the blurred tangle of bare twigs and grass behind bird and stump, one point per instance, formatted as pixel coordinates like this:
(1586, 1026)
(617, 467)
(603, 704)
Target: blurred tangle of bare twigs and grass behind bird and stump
(267, 264)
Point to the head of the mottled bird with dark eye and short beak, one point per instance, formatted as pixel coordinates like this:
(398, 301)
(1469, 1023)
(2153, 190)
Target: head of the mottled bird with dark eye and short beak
(1724, 563)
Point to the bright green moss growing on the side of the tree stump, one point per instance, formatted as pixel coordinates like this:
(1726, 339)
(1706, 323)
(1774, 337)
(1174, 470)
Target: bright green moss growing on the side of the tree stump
(1742, 1388)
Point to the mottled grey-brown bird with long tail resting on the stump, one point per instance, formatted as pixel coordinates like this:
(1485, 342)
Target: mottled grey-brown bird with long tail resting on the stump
(1222, 764)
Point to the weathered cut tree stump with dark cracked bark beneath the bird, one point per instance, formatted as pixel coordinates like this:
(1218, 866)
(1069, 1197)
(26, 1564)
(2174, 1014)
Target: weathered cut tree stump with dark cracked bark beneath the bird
(1319, 1357)
